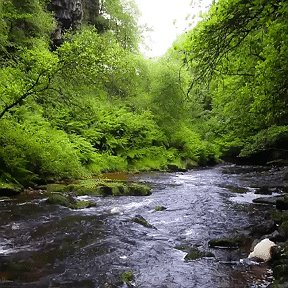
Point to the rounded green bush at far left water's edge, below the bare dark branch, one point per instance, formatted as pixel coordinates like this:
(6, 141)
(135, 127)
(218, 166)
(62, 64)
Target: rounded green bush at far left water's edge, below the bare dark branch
(32, 148)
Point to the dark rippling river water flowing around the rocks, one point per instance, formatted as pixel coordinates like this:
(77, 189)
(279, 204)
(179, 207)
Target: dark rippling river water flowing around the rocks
(51, 246)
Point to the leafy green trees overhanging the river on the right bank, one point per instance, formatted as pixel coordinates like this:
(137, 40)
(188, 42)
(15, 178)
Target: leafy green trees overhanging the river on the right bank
(239, 51)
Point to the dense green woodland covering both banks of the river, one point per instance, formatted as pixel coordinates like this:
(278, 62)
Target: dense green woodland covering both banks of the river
(91, 103)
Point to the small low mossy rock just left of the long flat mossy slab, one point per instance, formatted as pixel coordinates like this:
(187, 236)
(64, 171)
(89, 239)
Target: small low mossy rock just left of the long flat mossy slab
(68, 201)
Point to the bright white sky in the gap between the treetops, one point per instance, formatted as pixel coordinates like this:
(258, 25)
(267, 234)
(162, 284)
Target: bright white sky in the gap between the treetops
(167, 19)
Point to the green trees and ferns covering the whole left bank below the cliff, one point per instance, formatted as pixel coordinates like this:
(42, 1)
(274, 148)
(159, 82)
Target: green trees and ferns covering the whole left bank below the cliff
(94, 104)
